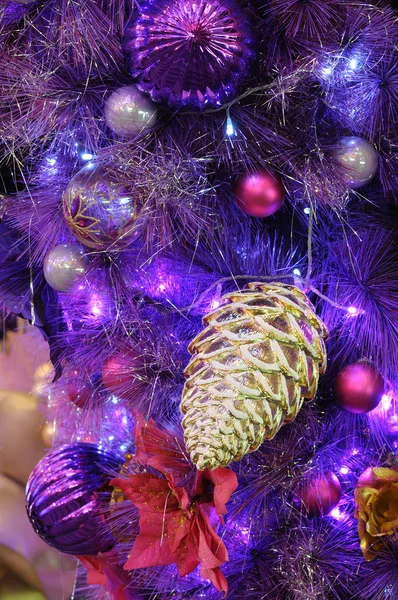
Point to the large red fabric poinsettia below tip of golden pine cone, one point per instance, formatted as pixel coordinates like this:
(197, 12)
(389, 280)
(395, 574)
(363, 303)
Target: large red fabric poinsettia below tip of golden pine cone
(176, 527)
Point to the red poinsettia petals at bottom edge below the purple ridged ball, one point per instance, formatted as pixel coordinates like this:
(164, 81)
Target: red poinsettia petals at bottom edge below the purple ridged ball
(101, 570)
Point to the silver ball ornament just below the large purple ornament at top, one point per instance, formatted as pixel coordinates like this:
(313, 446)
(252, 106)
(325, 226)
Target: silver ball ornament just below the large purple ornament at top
(127, 111)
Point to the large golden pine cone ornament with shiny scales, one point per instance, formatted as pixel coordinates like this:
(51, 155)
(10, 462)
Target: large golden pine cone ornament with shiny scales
(253, 365)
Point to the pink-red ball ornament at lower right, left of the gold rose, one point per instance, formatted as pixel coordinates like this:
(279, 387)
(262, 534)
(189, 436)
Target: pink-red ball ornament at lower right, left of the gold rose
(320, 495)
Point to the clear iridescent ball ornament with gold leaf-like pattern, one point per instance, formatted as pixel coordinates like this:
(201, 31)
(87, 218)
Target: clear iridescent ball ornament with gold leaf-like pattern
(99, 211)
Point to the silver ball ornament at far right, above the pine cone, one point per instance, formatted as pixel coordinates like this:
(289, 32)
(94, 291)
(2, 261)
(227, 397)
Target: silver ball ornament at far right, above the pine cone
(359, 159)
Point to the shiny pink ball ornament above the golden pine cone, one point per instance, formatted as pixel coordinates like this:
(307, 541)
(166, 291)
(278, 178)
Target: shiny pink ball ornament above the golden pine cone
(259, 194)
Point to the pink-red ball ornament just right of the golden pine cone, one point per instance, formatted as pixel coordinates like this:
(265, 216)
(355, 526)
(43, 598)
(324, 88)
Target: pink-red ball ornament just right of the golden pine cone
(359, 388)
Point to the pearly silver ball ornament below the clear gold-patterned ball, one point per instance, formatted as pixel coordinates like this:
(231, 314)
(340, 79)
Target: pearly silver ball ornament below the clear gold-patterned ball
(64, 266)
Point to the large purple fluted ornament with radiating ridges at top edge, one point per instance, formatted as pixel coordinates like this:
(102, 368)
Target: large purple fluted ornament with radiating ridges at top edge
(189, 53)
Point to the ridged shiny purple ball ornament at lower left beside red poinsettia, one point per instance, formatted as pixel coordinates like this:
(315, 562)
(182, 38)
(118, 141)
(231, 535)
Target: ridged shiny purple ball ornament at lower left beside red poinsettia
(64, 496)
